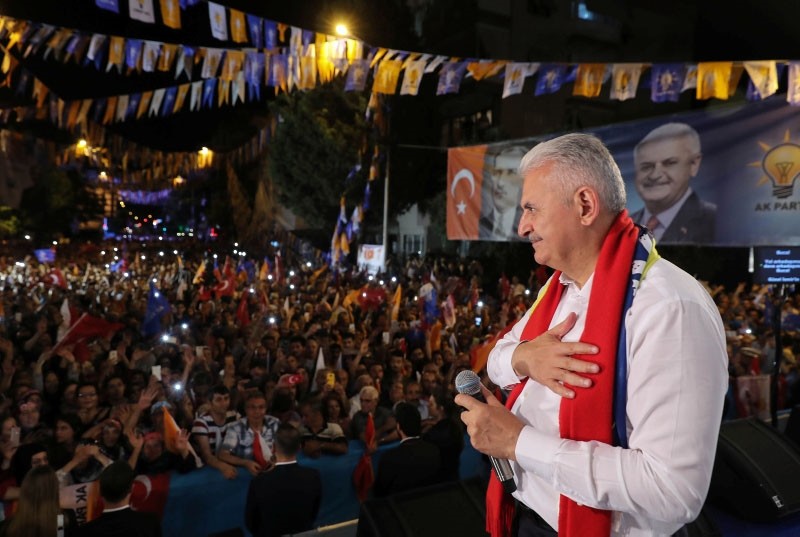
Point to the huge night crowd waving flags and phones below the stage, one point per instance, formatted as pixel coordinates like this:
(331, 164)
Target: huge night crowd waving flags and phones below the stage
(218, 345)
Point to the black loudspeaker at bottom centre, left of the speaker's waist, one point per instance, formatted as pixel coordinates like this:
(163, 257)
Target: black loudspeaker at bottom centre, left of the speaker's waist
(456, 508)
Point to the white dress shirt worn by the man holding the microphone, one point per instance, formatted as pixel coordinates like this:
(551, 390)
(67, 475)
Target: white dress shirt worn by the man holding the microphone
(677, 379)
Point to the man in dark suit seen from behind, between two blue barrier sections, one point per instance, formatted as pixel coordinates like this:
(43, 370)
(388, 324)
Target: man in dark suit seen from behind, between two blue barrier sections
(286, 498)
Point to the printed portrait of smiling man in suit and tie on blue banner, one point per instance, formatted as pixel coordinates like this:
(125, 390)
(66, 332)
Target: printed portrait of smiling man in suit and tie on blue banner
(665, 161)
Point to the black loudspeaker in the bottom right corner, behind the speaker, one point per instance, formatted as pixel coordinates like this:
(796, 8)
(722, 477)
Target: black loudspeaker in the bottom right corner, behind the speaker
(756, 472)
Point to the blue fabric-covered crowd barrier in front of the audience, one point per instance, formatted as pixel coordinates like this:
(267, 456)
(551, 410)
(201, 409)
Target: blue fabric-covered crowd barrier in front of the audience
(203, 502)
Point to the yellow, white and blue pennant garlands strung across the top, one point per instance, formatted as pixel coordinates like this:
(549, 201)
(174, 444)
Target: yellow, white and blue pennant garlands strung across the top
(297, 58)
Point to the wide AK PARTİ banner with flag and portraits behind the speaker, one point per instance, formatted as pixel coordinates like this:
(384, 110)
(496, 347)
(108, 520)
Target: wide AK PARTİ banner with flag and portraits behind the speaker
(740, 164)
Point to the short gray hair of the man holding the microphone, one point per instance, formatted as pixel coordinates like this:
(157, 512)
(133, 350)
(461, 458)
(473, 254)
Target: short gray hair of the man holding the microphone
(580, 160)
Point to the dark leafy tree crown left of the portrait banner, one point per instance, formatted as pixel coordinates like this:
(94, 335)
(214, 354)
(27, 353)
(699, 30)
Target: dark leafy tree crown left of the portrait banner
(315, 146)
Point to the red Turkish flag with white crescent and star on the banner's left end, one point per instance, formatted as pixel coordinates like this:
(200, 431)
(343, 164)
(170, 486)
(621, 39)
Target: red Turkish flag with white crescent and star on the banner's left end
(464, 183)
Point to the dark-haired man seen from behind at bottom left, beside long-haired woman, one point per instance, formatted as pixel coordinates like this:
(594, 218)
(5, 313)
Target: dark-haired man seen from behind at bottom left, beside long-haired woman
(118, 519)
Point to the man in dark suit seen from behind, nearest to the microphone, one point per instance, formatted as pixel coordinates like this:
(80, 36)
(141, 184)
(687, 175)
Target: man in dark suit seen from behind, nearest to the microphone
(414, 463)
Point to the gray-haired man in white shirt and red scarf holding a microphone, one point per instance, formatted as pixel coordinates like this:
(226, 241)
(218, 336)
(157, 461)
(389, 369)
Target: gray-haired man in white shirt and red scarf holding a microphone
(674, 349)
